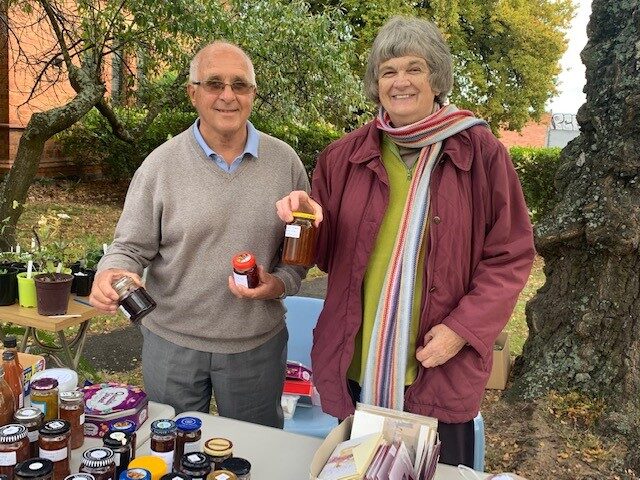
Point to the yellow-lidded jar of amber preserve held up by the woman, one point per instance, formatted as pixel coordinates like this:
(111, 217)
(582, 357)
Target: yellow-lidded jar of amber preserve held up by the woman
(300, 240)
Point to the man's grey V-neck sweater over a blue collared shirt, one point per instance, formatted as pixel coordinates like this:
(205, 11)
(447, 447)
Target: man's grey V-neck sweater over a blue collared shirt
(185, 218)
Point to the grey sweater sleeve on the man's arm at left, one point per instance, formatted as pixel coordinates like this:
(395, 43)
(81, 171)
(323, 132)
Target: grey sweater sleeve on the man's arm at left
(137, 236)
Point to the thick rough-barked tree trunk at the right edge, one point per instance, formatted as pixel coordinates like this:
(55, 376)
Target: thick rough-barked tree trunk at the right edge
(584, 323)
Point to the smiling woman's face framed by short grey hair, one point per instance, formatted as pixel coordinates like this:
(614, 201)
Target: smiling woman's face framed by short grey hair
(404, 89)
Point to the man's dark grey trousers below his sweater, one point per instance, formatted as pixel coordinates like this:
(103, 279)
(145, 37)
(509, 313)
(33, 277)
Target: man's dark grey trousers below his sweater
(246, 386)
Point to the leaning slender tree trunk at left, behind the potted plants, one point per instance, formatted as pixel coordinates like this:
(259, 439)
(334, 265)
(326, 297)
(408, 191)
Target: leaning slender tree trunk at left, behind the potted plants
(41, 127)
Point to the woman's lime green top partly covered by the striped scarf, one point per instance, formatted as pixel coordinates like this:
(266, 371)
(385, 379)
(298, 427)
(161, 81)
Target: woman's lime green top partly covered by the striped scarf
(399, 182)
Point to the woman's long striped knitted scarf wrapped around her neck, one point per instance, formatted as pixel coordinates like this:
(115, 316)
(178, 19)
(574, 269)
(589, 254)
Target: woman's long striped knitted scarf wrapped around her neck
(385, 369)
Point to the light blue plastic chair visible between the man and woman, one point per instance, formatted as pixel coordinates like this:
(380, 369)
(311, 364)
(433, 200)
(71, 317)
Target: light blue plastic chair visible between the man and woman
(302, 315)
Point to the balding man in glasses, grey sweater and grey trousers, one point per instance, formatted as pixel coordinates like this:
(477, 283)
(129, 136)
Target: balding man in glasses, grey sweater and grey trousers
(197, 200)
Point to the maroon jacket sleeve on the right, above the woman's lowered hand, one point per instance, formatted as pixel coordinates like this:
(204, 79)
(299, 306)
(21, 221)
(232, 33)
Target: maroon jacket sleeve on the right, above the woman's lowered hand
(506, 259)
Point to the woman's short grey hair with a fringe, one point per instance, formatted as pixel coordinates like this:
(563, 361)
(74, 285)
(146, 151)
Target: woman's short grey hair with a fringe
(402, 36)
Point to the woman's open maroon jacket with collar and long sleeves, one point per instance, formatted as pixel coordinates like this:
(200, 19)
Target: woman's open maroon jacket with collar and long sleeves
(479, 257)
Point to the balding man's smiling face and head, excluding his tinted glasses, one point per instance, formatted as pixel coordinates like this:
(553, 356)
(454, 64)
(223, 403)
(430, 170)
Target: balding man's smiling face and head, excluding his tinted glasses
(222, 113)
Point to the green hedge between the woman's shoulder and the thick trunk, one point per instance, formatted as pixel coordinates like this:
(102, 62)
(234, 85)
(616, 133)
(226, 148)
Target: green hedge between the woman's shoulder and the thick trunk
(536, 169)
